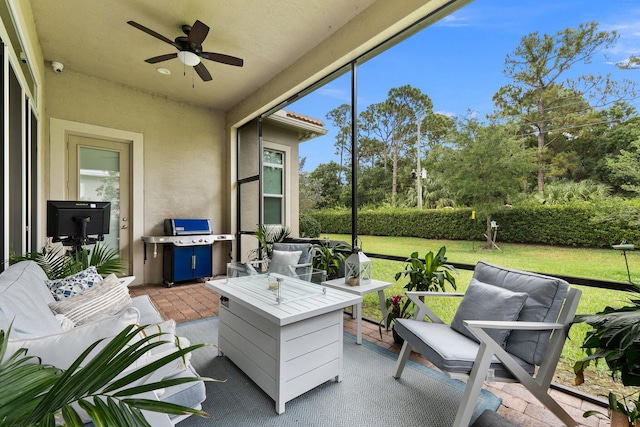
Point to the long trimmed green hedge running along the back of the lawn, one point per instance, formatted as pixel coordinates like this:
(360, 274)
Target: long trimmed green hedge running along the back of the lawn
(582, 225)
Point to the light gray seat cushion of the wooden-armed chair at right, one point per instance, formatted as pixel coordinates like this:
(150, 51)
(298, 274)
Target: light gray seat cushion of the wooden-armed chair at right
(449, 350)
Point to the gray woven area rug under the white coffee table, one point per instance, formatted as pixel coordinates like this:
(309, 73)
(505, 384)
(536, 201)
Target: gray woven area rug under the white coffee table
(367, 396)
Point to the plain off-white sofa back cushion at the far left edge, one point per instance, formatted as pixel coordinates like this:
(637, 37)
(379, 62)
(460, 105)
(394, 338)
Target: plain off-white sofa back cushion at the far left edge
(24, 300)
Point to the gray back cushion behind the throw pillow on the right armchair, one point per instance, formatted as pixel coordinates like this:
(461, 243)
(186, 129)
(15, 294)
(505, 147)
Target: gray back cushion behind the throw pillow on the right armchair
(546, 296)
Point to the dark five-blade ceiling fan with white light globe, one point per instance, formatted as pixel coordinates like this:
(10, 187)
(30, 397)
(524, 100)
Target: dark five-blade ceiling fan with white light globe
(190, 48)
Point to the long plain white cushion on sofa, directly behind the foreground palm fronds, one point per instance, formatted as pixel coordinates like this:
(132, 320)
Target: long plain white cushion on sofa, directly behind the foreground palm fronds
(61, 350)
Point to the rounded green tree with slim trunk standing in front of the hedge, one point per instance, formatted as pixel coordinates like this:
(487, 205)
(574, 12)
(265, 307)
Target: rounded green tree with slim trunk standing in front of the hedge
(483, 166)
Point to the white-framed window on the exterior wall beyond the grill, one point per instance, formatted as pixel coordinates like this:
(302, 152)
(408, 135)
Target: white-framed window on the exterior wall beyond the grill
(273, 186)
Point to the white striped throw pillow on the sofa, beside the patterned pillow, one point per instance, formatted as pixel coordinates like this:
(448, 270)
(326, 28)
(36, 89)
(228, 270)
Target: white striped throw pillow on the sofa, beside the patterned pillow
(101, 300)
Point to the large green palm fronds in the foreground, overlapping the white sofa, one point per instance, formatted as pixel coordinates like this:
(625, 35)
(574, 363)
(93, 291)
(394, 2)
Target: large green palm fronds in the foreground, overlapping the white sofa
(35, 394)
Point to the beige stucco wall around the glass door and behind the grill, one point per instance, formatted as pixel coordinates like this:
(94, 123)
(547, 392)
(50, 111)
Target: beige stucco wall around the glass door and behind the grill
(185, 162)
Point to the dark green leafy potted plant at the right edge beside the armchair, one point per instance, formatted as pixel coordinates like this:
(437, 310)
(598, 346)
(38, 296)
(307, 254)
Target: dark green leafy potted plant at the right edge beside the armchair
(614, 338)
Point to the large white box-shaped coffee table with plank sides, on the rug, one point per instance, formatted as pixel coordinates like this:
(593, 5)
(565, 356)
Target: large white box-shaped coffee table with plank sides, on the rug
(287, 339)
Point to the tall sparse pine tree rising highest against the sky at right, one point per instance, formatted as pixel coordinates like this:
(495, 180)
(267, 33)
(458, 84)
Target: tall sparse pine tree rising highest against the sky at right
(550, 106)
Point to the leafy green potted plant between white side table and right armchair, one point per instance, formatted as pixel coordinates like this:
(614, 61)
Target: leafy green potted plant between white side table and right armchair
(430, 275)
